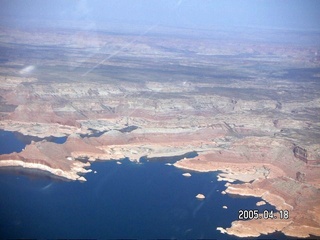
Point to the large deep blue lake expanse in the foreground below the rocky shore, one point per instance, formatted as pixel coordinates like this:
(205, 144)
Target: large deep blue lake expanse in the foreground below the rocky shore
(149, 200)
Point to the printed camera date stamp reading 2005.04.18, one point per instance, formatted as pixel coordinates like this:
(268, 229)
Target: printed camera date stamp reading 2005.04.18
(266, 214)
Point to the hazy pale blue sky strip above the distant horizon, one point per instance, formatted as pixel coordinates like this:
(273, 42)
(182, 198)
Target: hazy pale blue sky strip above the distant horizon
(294, 14)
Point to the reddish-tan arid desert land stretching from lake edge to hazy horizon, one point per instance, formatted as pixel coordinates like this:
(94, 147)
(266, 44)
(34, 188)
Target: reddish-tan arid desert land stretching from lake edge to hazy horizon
(241, 101)
